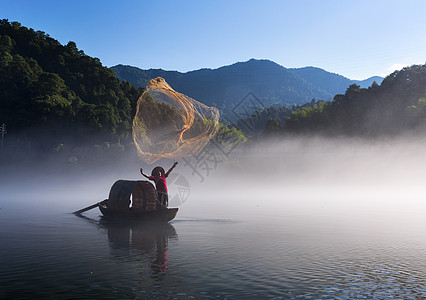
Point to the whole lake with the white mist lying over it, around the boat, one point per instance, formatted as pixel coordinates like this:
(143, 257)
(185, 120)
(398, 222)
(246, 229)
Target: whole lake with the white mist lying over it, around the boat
(304, 219)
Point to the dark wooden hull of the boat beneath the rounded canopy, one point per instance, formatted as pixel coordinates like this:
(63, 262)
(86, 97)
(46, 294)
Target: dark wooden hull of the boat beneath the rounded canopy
(160, 215)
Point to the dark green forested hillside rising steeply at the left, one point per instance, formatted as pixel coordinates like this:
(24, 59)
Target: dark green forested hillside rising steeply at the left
(59, 91)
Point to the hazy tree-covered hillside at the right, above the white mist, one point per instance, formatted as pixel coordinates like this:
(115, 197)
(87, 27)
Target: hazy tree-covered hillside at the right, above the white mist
(396, 106)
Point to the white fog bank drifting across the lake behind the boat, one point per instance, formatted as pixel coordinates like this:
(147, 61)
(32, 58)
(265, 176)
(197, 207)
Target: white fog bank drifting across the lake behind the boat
(298, 175)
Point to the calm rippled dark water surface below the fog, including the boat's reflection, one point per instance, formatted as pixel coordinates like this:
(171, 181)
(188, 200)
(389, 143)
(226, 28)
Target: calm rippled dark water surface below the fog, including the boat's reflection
(314, 255)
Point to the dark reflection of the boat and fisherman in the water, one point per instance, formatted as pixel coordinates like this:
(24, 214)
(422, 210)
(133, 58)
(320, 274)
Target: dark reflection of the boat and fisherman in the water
(150, 241)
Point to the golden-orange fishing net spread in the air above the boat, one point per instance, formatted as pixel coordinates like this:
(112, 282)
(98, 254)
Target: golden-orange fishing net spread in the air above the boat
(171, 125)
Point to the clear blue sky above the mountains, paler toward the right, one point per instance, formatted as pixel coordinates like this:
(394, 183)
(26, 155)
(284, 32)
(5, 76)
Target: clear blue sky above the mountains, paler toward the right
(356, 39)
